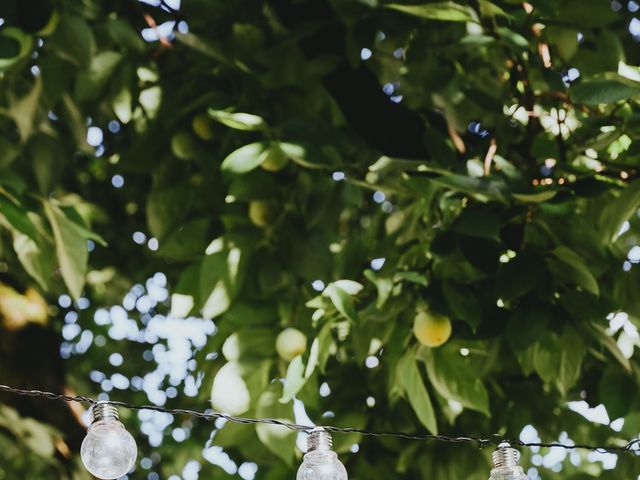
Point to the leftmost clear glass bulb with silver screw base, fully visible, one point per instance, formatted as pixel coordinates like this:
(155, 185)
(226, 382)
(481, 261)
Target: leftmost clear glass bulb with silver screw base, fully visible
(108, 451)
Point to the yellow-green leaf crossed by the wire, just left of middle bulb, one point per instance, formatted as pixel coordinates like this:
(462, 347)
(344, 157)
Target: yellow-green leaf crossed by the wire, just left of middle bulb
(280, 440)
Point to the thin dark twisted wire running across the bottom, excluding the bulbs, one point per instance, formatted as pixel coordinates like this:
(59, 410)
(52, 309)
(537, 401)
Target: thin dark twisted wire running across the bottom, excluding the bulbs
(632, 446)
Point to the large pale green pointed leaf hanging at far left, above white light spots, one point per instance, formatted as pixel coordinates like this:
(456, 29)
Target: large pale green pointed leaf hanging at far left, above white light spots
(71, 248)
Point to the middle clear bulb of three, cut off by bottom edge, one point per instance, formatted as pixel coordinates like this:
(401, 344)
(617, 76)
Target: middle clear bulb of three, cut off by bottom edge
(321, 462)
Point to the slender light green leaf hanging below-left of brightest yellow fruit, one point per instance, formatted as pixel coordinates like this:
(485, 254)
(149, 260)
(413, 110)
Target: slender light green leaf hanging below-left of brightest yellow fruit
(413, 386)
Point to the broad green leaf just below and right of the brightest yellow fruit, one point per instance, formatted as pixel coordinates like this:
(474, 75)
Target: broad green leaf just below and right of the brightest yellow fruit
(452, 377)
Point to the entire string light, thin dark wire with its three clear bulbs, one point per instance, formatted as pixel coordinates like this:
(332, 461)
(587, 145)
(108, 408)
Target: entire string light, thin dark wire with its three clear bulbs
(319, 441)
